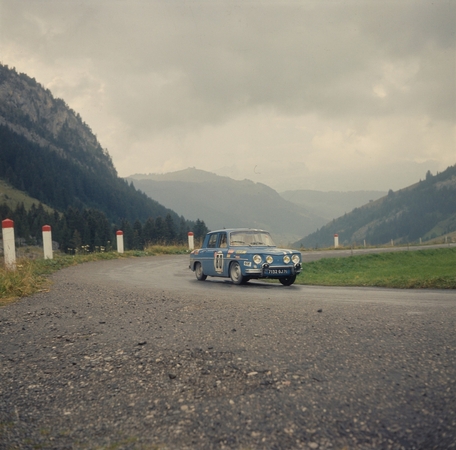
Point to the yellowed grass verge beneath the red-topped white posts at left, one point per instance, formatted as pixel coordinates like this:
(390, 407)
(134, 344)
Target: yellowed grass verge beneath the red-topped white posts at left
(31, 275)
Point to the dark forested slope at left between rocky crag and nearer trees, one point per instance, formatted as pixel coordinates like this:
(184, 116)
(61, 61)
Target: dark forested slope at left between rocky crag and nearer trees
(59, 182)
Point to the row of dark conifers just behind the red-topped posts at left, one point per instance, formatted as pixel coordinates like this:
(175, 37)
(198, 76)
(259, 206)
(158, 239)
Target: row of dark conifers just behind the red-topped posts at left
(77, 230)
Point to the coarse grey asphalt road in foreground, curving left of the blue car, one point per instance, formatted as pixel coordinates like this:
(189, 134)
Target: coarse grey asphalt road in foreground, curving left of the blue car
(136, 353)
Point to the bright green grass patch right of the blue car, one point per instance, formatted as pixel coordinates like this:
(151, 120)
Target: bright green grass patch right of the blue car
(432, 268)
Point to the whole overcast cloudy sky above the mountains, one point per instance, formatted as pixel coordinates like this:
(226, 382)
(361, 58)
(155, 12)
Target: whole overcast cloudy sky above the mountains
(309, 94)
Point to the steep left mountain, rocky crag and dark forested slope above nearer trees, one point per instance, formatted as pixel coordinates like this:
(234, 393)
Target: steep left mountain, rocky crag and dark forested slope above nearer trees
(50, 154)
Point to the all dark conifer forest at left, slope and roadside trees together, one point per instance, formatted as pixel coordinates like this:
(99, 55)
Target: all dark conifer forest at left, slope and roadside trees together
(94, 205)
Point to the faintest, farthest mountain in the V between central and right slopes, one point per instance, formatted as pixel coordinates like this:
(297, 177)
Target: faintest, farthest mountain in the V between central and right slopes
(331, 205)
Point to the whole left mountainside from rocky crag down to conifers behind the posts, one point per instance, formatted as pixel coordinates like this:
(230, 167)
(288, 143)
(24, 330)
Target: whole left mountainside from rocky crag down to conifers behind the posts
(49, 153)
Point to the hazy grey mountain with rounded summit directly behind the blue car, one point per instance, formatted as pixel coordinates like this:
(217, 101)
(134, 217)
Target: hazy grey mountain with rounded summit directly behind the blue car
(225, 202)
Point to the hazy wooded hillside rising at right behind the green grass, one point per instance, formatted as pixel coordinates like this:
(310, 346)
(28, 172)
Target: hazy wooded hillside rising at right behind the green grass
(424, 211)
